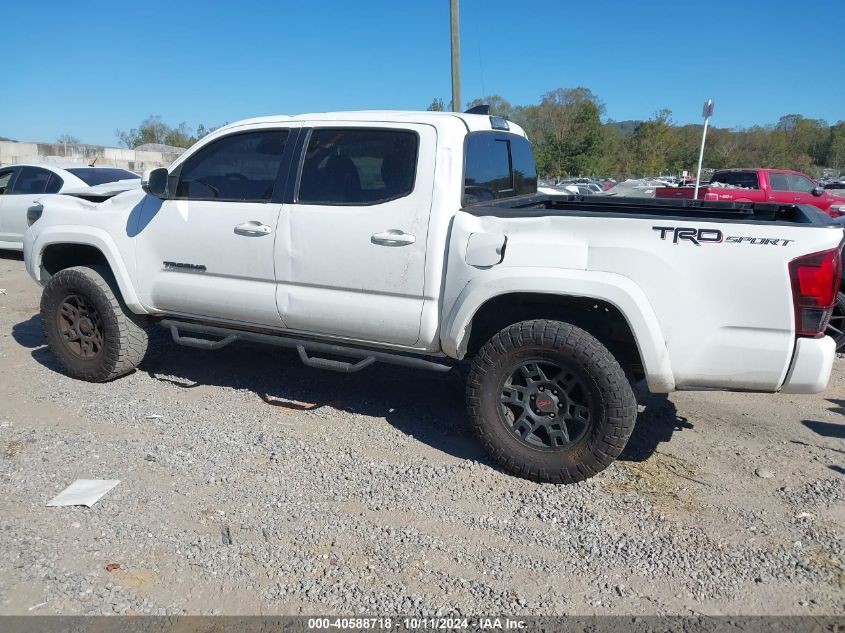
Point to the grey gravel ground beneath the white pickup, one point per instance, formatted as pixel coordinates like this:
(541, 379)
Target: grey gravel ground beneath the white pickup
(252, 484)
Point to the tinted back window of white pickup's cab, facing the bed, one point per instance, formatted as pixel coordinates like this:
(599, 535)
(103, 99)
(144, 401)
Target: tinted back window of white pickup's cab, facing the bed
(498, 165)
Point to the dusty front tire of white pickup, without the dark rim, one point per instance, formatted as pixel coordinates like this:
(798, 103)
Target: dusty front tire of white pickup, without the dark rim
(124, 338)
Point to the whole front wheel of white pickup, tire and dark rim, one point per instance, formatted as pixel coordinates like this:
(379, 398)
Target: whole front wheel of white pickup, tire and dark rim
(88, 327)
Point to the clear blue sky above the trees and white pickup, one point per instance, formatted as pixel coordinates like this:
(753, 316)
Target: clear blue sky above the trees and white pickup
(87, 68)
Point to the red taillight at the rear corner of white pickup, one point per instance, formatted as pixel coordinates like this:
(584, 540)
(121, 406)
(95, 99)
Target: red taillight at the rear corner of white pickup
(815, 282)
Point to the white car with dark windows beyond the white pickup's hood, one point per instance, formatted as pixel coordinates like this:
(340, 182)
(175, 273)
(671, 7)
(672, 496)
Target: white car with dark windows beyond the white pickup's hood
(21, 184)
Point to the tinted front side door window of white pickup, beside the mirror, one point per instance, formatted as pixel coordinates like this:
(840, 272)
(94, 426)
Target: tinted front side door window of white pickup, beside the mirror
(236, 168)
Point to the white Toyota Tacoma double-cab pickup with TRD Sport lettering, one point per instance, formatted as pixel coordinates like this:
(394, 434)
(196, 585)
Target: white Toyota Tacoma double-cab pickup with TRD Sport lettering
(418, 238)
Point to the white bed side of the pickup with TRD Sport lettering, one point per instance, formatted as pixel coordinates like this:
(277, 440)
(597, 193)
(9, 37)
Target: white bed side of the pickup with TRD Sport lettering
(711, 277)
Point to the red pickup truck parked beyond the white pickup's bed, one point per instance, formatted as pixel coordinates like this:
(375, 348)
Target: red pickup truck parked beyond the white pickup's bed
(761, 185)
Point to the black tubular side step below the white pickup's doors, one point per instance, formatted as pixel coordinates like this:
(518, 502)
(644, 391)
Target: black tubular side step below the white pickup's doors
(363, 357)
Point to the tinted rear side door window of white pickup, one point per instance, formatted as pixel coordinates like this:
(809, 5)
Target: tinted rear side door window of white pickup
(358, 166)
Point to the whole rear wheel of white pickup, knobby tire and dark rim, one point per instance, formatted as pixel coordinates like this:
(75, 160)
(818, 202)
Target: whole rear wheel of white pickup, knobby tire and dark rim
(549, 402)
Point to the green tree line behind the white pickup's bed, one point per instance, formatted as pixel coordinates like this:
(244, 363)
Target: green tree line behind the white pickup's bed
(572, 138)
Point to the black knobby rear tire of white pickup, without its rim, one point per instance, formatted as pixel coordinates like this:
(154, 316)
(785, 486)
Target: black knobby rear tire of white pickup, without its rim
(613, 405)
